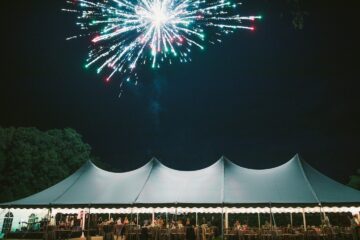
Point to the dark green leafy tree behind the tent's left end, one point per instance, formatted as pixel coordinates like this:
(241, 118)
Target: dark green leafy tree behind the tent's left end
(32, 160)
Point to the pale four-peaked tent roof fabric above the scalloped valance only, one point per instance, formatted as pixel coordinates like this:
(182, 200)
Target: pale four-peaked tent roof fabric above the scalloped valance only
(224, 182)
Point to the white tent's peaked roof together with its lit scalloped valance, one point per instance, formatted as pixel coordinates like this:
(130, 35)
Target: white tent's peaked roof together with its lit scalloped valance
(224, 187)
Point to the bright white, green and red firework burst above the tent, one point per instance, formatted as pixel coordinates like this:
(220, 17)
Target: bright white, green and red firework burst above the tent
(127, 33)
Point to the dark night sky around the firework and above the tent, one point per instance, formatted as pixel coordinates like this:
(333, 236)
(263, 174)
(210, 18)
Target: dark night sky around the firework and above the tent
(258, 98)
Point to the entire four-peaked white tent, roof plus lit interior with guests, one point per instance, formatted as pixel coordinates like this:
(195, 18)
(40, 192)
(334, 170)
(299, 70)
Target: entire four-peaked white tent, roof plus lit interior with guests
(224, 200)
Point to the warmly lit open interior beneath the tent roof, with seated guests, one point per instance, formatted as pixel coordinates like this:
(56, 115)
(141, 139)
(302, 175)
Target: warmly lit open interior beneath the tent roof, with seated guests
(185, 226)
